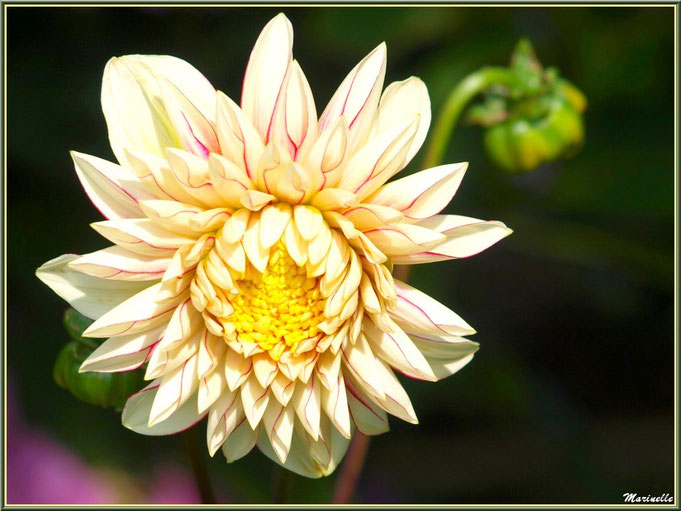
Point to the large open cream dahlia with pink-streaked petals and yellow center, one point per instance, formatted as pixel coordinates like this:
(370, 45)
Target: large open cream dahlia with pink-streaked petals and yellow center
(252, 253)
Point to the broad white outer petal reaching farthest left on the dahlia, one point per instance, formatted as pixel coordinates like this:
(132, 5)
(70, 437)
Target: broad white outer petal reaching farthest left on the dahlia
(91, 296)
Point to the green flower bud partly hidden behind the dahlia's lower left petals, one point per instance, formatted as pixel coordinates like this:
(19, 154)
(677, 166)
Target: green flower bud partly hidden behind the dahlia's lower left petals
(102, 389)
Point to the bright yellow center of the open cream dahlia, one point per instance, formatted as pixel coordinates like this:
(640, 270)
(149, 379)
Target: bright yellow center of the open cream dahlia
(279, 308)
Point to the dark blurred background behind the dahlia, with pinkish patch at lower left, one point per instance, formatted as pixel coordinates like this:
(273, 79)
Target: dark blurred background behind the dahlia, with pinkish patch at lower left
(570, 398)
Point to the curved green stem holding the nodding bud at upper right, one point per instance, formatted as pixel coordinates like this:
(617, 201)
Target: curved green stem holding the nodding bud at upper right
(458, 99)
